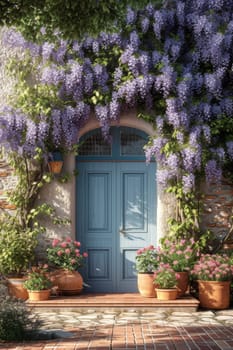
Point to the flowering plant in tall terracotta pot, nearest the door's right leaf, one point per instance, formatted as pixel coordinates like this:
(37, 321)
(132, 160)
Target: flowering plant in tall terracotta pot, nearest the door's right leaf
(146, 263)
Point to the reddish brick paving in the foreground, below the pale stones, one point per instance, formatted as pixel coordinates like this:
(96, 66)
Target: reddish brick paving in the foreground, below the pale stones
(138, 336)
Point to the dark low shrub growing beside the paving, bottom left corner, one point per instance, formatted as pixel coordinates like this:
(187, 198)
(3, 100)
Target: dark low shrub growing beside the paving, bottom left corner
(17, 321)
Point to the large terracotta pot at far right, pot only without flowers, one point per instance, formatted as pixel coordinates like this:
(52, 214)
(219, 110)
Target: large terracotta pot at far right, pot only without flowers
(214, 294)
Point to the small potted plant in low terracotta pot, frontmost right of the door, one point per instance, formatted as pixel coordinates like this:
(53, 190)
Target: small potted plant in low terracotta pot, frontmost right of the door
(165, 280)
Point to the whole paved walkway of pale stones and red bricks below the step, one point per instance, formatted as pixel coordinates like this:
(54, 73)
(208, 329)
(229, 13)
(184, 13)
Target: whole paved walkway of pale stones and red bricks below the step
(133, 329)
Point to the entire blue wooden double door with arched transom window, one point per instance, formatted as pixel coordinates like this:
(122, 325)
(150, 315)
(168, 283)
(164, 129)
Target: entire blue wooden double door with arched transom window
(115, 213)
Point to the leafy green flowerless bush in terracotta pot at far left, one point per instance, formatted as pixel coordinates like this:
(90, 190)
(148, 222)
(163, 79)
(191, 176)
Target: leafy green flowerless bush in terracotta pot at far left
(17, 252)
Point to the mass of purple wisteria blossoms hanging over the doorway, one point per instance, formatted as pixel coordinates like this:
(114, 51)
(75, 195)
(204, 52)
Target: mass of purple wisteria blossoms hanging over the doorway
(174, 62)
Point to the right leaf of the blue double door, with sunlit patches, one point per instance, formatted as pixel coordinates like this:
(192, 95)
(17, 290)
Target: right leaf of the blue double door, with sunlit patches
(135, 229)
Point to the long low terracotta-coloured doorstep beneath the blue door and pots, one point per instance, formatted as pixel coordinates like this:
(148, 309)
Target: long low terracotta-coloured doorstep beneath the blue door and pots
(113, 301)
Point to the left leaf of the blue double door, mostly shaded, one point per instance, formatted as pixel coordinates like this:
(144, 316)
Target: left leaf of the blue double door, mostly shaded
(95, 224)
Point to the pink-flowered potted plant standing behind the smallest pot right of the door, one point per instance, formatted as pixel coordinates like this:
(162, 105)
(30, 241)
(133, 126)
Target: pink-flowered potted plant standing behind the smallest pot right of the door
(181, 256)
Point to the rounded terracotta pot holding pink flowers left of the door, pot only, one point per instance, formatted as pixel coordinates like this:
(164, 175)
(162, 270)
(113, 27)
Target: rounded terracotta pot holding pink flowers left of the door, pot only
(68, 282)
